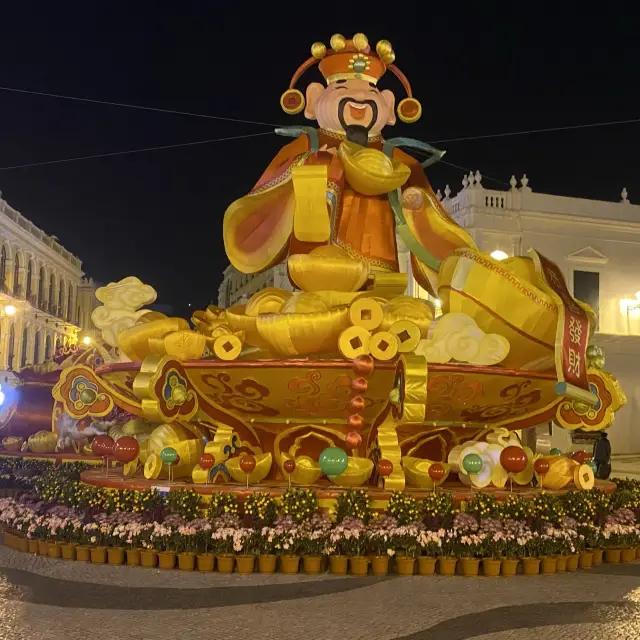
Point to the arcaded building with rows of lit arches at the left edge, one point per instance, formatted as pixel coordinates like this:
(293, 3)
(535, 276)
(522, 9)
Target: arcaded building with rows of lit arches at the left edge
(44, 300)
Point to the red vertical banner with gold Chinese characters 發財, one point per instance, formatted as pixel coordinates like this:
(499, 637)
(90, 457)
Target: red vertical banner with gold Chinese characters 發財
(572, 335)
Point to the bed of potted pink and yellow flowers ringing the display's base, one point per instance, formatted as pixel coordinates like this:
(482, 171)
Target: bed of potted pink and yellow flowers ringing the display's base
(547, 533)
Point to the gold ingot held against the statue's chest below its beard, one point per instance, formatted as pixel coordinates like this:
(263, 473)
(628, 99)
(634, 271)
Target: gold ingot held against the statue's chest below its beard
(371, 172)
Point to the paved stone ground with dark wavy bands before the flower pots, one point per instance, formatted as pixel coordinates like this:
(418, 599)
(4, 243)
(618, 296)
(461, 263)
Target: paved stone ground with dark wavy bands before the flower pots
(42, 598)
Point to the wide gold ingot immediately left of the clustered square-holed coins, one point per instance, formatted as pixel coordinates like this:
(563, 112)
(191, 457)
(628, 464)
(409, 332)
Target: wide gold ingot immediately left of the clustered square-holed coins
(303, 333)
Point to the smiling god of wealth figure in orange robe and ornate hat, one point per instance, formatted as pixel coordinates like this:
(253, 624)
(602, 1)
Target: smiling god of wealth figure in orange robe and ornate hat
(342, 184)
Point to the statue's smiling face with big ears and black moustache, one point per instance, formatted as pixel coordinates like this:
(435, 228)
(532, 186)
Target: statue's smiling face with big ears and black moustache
(350, 106)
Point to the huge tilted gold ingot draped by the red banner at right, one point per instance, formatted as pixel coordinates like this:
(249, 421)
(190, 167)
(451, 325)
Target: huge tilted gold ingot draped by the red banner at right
(503, 298)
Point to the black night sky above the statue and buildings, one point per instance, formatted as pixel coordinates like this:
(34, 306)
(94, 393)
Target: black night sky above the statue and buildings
(158, 215)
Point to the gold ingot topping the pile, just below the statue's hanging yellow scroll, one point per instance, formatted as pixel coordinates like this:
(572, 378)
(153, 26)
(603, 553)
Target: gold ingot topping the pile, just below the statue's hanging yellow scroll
(327, 268)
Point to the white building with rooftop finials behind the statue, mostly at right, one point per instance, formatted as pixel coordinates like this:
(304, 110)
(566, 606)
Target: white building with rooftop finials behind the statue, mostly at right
(595, 243)
